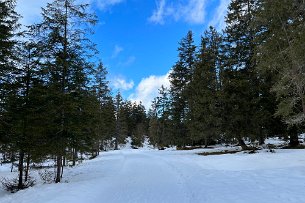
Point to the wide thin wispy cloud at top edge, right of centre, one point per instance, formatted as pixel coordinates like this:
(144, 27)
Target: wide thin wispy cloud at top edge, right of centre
(191, 11)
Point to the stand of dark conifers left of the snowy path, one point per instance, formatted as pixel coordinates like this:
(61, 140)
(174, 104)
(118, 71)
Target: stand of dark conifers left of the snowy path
(55, 101)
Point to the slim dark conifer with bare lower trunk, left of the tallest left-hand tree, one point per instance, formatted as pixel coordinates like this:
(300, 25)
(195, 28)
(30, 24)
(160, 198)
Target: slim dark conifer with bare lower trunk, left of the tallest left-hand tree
(24, 110)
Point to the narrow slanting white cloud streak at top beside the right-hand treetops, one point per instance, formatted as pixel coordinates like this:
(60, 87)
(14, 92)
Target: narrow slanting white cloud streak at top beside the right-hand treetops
(218, 20)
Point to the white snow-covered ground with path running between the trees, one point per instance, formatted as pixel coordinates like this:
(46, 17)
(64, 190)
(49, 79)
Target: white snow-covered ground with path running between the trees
(147, 175)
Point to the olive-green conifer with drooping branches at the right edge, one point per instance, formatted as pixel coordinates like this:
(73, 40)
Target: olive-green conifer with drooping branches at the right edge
(281, 55)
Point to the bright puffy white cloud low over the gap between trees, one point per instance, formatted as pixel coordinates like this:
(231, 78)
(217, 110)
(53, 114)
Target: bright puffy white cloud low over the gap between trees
(147, 89)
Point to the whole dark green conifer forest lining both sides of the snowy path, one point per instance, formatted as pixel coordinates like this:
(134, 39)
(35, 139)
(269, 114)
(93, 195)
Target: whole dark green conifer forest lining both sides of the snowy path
(238, 86)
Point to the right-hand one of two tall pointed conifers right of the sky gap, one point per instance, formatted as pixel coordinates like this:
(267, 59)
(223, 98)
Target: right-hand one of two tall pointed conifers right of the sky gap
(204, 114)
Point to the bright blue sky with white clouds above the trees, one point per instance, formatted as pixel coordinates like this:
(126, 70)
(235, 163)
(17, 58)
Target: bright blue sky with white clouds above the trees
(138, 39)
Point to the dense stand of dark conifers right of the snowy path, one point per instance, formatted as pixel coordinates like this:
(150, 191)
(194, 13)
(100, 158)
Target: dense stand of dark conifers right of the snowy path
(246, 82)
